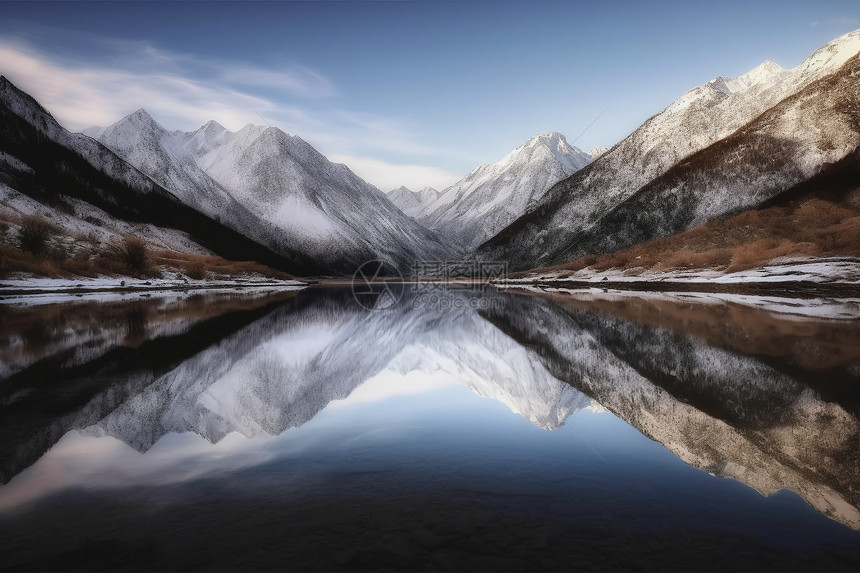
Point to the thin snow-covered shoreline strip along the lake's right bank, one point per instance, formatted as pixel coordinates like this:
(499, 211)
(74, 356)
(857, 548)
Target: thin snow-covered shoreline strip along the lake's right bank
(836, 270)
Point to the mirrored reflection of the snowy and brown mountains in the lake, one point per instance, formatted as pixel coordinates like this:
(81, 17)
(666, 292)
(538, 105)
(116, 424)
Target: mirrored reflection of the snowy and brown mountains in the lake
(728, 389)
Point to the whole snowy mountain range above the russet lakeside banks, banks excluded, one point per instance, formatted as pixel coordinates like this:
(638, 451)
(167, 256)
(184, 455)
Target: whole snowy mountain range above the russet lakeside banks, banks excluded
(727, 146)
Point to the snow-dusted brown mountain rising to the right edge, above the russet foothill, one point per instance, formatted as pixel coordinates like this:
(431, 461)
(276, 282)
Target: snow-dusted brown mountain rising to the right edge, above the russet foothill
(711, 152)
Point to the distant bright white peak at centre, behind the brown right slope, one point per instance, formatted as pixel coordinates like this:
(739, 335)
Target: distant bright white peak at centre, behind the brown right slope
(490, 197)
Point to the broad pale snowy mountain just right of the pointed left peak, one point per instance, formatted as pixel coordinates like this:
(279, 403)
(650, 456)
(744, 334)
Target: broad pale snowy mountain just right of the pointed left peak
(322, 208)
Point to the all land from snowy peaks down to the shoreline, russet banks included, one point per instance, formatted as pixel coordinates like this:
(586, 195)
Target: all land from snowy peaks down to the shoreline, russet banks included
(740, 180)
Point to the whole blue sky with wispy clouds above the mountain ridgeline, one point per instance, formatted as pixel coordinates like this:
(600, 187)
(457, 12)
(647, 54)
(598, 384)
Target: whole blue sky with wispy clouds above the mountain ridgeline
(414, 93)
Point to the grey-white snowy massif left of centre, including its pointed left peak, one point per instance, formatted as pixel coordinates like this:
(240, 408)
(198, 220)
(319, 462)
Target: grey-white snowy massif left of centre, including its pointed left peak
(277, 189)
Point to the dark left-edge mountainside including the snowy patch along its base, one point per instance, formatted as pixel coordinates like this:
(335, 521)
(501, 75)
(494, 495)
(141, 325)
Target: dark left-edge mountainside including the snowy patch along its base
(85, 187)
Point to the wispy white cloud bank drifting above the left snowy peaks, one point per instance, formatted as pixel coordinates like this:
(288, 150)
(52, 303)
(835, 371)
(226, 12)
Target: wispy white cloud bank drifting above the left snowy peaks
(184, 92)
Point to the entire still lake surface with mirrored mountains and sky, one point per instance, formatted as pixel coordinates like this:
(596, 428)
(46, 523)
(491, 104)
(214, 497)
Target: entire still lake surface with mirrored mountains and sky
(430, 429)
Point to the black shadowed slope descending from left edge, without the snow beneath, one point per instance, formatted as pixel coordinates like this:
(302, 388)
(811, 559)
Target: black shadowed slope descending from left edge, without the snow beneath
(51, 166)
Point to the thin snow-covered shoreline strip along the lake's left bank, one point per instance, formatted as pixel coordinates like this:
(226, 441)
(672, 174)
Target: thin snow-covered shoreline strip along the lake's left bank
(45, 291)
